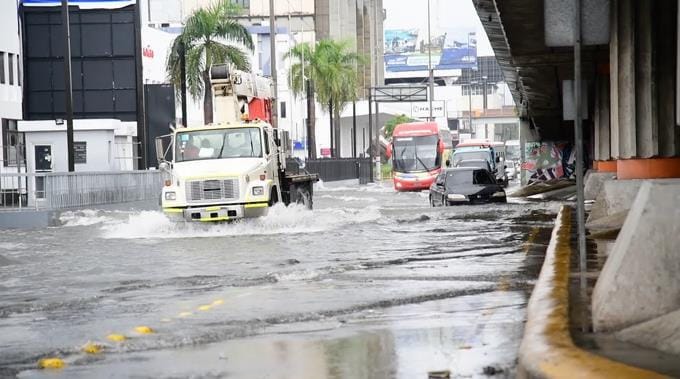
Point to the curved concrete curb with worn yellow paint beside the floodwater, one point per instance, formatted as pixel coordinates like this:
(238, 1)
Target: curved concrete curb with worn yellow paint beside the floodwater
(547, 350)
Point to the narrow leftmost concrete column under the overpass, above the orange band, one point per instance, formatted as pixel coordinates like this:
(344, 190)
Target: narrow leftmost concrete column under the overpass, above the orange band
(614, 78)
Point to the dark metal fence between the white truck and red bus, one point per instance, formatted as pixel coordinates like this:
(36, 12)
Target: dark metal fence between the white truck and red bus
(335, 169)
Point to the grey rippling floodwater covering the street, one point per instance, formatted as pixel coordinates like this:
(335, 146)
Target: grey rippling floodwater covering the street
(370, 284)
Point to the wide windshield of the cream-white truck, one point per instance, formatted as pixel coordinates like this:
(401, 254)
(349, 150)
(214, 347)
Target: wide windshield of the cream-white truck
(218, 144)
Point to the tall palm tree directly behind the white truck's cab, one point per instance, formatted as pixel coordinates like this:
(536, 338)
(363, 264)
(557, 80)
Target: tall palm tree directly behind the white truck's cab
(200, 41)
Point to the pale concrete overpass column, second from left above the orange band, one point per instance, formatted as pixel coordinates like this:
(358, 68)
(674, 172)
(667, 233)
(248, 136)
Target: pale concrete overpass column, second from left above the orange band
(626, 73)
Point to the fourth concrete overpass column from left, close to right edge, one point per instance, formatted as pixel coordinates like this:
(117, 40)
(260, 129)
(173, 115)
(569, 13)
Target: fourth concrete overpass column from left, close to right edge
(665, 21)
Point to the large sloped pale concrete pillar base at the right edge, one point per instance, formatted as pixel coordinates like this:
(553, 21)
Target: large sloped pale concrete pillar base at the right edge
(639, 280)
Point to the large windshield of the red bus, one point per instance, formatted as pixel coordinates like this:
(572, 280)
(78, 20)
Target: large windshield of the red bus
(413, 154)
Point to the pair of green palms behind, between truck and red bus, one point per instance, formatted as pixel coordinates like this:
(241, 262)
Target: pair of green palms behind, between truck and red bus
(332, 71)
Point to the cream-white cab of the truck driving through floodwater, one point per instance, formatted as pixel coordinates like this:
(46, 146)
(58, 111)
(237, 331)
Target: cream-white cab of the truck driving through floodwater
(222, 172)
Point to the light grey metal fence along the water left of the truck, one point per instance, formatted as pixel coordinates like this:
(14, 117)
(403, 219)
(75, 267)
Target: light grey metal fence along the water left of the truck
(78, 189)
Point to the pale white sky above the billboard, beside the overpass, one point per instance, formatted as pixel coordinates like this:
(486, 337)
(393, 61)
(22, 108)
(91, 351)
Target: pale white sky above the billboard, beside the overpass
(458, 14)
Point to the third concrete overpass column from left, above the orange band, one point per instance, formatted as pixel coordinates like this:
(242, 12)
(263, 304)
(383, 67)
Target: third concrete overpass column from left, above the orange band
(646, 122)
